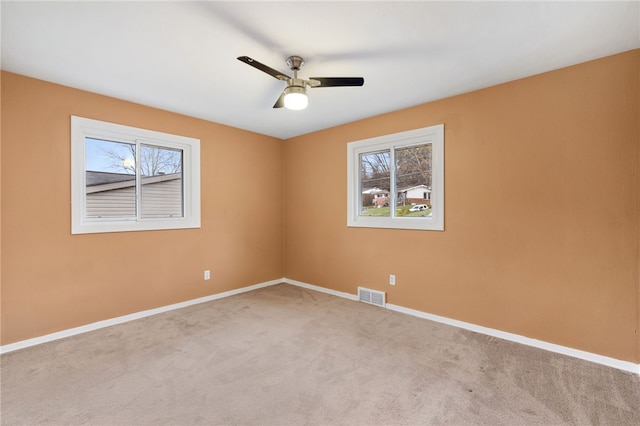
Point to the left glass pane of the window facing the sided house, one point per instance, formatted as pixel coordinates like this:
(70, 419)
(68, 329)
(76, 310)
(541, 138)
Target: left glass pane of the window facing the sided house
(110, 179)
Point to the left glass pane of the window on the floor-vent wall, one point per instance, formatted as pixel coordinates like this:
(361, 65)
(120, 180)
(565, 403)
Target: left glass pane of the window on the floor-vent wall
(375, 183)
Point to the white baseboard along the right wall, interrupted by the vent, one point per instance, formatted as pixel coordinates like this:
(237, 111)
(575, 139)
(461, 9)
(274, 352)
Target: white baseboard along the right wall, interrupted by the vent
(540, 344)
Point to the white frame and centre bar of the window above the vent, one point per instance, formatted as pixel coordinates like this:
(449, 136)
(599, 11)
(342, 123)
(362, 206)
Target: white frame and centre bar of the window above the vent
(433, 135)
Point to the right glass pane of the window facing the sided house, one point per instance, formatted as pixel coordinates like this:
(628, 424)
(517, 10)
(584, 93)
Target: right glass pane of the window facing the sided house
(161, 185)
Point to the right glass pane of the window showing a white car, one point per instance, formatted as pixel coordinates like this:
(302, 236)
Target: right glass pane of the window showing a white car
(413, 181)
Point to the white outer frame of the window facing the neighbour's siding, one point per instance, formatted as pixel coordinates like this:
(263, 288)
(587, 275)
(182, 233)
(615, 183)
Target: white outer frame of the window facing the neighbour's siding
(83, 128)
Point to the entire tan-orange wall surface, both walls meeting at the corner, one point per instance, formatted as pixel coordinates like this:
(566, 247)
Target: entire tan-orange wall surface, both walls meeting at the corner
(542, 213)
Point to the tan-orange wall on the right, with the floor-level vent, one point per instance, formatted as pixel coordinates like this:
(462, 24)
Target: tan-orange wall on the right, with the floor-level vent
(541, 217)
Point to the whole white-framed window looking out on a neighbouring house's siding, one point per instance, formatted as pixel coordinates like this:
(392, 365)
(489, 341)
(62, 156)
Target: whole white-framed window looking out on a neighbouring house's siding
(129, 179)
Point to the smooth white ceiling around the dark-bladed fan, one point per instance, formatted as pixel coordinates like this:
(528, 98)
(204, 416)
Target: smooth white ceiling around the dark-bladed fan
(181, 56)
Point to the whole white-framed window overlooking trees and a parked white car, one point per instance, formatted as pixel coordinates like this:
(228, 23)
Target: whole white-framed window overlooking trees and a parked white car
(397, 181)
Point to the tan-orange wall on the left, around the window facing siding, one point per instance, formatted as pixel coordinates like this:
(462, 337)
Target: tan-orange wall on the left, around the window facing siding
(52, 280)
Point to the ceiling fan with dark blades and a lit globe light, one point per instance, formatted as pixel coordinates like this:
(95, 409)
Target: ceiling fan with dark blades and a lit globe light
(294, 95)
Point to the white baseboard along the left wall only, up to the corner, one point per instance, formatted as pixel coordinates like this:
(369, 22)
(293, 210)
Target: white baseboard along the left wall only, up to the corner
(131, 317)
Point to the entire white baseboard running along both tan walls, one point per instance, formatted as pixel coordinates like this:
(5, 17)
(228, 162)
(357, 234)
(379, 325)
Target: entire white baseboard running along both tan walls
(588, 356)
